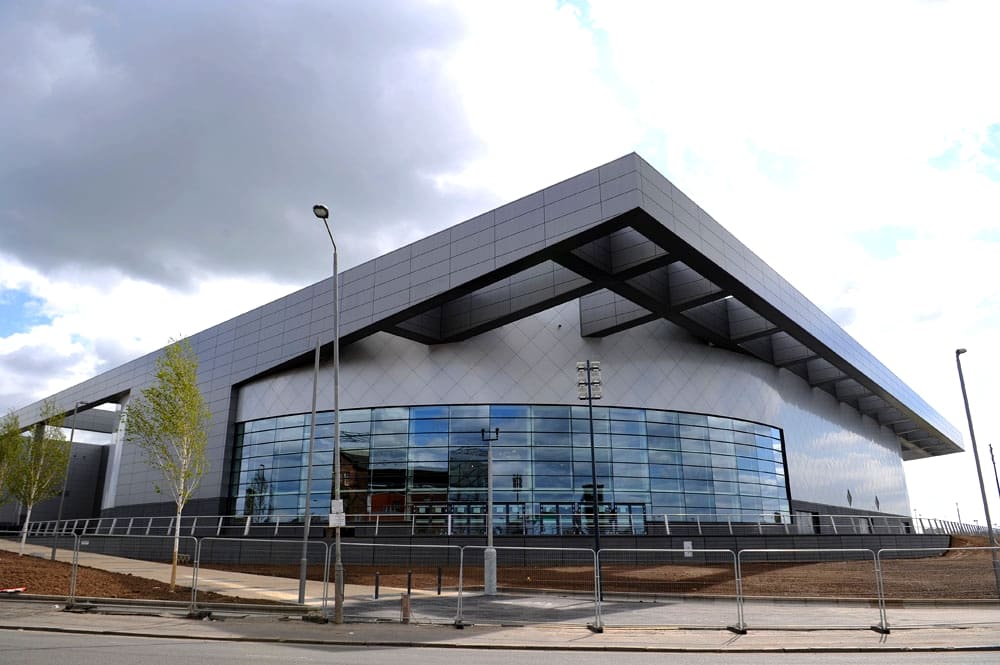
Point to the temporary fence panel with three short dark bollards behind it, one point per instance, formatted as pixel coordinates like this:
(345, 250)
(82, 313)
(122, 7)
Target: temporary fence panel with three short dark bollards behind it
(405, 583)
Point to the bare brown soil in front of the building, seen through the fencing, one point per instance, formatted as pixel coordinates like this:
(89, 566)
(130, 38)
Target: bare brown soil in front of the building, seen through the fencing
(956, 575)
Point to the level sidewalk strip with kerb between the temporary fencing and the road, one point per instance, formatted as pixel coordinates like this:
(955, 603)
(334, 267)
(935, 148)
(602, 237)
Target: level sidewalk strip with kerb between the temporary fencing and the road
(46, 617)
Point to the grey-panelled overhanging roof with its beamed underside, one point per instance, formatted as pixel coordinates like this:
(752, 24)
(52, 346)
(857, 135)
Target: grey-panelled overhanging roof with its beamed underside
(620, 238)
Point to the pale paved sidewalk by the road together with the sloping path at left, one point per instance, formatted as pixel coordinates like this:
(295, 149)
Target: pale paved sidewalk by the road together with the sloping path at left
(946, 628)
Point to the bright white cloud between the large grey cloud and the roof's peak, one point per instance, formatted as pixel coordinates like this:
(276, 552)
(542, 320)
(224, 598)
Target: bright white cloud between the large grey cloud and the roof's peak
(533, 85)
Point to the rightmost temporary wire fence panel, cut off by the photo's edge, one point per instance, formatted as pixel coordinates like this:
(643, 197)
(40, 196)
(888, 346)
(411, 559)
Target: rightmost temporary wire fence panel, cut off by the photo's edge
(931, 586)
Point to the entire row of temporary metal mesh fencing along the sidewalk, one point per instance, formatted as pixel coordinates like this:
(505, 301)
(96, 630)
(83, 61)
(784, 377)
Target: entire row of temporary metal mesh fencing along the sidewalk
(828, 588)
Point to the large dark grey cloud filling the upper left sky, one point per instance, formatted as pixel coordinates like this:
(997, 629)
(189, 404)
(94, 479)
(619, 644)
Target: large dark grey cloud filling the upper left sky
(170, 140)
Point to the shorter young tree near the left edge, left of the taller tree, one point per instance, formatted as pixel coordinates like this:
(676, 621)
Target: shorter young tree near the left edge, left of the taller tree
(39, 463)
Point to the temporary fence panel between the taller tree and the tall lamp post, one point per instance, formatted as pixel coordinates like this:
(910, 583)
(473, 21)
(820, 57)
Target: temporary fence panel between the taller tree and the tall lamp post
(225, 563)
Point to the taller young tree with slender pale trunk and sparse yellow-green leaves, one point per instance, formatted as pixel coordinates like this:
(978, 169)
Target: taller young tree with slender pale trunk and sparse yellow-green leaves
(169, 422)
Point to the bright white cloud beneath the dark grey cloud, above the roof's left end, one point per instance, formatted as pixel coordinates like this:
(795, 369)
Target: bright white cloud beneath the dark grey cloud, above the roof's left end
(99, 320)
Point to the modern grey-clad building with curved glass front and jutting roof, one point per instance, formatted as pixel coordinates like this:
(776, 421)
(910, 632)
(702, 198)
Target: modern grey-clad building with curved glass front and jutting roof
(725, 393)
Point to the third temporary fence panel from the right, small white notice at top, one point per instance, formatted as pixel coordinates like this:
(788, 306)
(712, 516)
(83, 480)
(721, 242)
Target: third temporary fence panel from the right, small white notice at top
(668, 587)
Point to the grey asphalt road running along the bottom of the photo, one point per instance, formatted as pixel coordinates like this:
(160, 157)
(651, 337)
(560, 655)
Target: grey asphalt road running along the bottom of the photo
(32, 648)
